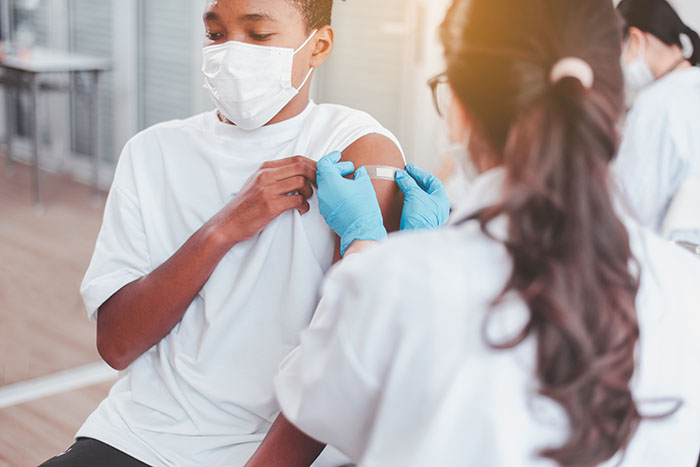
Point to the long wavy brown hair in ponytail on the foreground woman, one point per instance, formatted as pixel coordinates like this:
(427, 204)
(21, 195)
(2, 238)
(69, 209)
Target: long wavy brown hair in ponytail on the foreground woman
(572, 261)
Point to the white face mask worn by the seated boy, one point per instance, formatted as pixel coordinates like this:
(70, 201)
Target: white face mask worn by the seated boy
(250, 84)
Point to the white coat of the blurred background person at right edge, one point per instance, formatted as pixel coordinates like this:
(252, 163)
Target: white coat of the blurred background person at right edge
(661, 146)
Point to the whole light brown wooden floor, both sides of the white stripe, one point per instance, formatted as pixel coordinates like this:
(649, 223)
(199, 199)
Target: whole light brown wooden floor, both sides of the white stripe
(43, 325)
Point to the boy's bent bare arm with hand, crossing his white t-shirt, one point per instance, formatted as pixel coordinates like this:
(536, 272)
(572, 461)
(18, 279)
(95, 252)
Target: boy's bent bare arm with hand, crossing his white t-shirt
(143, 312)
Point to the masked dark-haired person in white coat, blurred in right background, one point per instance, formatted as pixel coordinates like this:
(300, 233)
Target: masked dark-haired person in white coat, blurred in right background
(660, 152)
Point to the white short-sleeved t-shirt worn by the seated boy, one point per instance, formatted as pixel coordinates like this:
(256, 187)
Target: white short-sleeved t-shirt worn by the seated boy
(204, 396)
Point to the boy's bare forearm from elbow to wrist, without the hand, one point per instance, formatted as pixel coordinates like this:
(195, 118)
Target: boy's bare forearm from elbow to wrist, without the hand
(145, 311)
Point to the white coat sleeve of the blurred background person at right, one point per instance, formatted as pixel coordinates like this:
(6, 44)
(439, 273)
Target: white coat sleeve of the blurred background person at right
(649, 164)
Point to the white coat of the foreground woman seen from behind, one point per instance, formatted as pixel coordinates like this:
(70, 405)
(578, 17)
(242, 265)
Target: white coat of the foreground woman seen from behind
(394, 369)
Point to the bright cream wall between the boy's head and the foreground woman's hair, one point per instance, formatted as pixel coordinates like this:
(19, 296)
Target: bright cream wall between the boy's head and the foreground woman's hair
(385, 53)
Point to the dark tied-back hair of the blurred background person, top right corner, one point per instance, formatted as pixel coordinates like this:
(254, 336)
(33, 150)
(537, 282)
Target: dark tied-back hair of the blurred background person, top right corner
(658, 18)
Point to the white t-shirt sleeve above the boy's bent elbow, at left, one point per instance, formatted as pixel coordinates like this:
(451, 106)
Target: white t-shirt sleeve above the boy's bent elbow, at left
(121, 254)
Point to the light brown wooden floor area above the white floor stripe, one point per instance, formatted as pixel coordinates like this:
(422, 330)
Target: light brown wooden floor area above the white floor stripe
(43, 256)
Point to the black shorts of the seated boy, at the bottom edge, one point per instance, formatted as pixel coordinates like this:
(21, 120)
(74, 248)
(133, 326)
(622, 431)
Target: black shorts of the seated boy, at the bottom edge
(88, 452)
